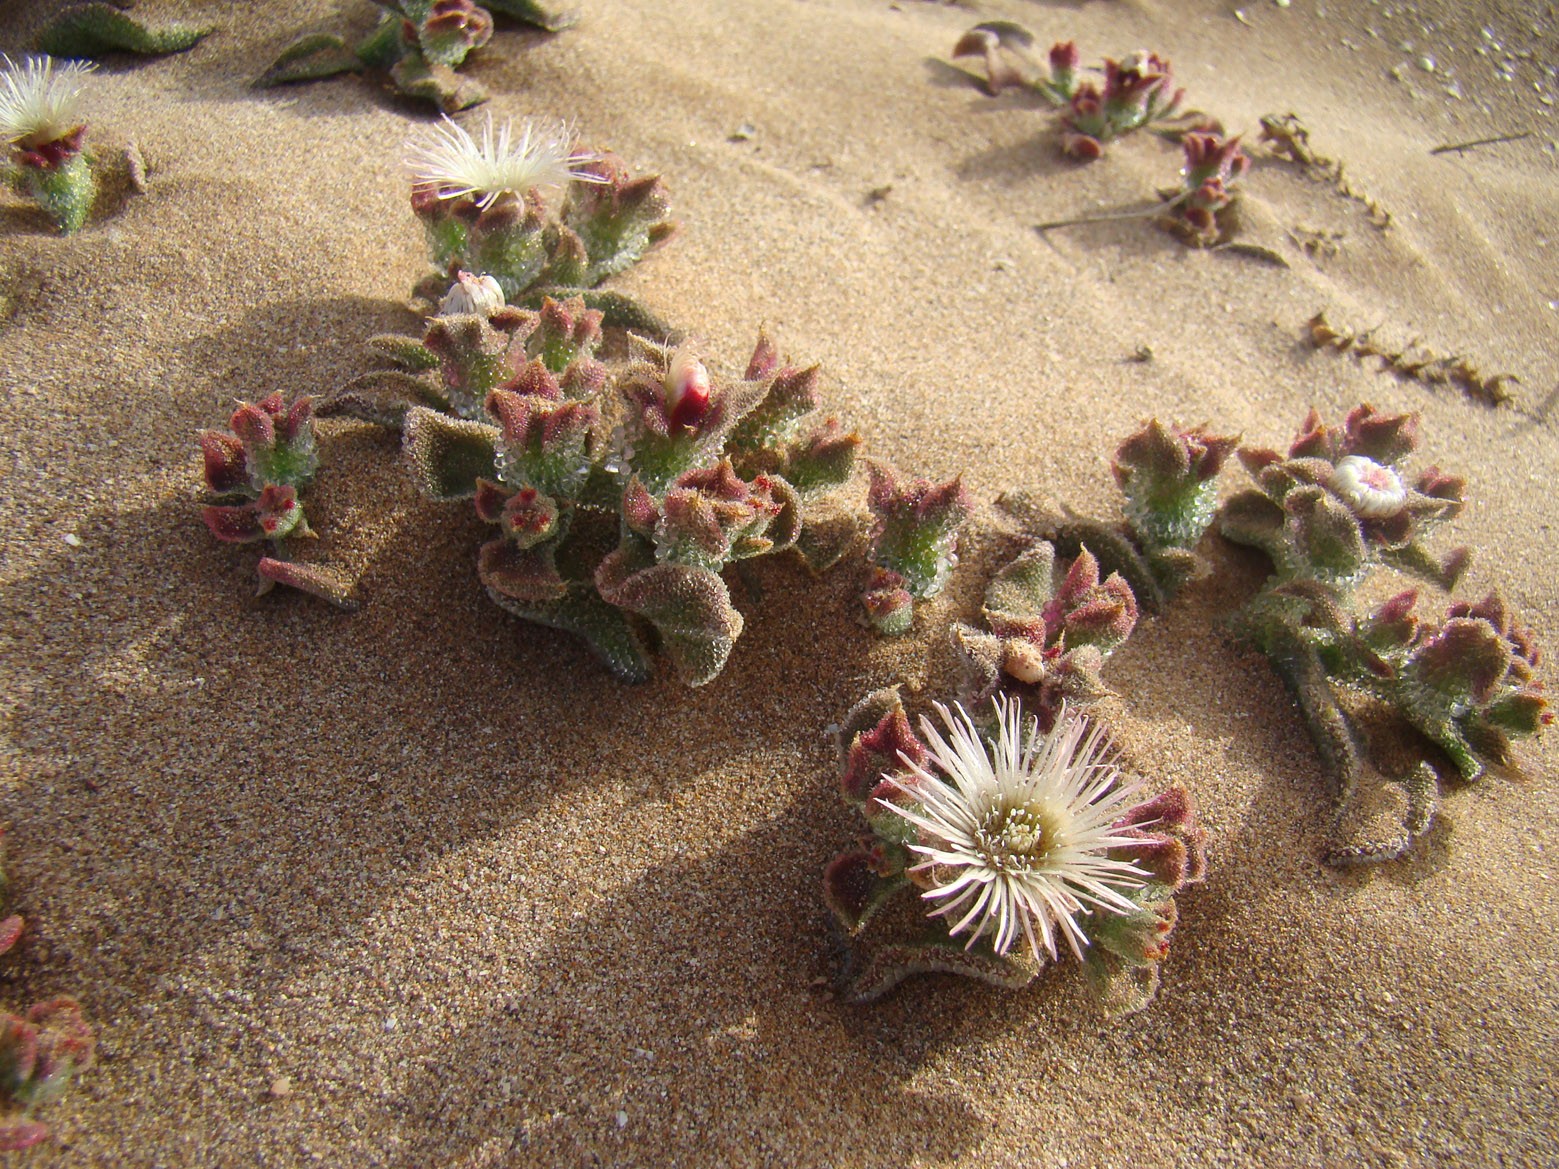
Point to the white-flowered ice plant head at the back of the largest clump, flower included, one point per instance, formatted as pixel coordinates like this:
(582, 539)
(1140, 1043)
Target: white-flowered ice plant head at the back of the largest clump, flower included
(484, 207)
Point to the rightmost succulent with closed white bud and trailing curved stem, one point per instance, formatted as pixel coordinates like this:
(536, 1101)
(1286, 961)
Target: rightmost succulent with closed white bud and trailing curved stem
(1327, 514)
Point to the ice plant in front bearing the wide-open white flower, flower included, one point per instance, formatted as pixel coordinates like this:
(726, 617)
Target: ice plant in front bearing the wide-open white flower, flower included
(1019, 841)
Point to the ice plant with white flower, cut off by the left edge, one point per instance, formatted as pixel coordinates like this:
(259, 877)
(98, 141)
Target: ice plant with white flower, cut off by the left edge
(44, 136)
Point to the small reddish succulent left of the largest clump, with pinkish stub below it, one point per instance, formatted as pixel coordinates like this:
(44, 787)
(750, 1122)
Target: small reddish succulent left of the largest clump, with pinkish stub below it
(258, 471)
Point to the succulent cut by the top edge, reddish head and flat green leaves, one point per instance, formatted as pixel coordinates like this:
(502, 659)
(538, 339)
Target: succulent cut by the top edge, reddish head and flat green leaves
(419, 44)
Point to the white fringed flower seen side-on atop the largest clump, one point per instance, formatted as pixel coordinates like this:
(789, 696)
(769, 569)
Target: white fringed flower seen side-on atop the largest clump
(456, 164)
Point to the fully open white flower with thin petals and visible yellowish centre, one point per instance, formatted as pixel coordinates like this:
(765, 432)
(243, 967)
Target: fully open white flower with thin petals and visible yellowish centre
(1017, 842)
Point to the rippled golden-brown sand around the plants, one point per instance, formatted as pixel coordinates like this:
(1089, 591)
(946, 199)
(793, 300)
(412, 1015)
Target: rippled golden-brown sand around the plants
(423, 886)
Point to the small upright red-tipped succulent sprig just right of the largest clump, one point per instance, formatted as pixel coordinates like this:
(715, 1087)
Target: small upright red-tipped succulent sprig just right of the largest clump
(914, 543)
